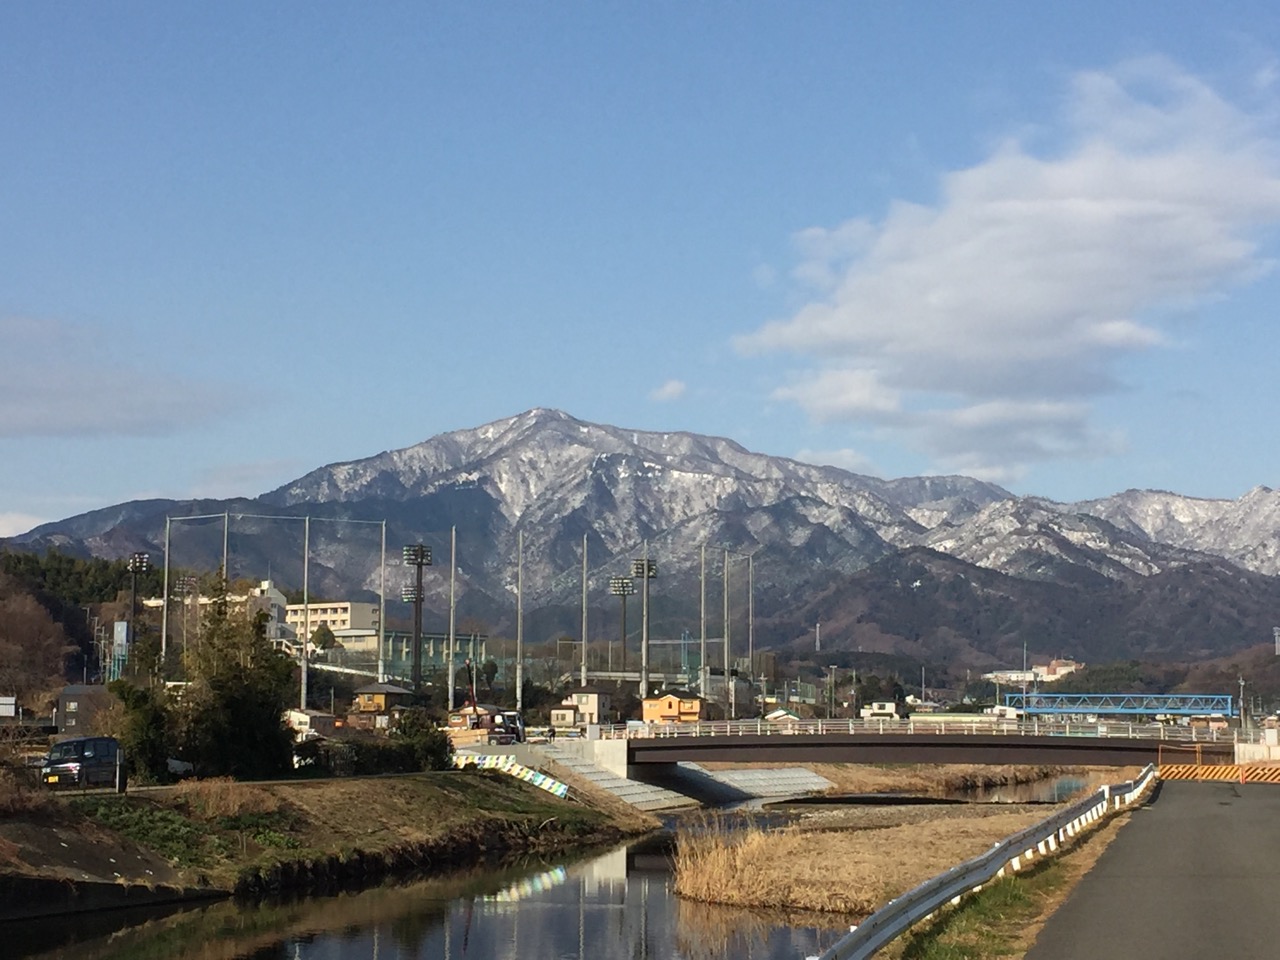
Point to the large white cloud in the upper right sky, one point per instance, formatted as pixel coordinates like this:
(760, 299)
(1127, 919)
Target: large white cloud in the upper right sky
(985, 326)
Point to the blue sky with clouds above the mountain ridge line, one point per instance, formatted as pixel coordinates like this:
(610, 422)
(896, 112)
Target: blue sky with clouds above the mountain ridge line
(1034, 244)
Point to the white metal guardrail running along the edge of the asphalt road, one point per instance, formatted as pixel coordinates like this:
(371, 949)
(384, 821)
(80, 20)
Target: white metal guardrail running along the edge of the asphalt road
(1043, 839)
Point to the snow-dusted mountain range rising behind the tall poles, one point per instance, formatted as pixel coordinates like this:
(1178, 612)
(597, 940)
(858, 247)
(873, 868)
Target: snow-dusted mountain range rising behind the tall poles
(551, 483)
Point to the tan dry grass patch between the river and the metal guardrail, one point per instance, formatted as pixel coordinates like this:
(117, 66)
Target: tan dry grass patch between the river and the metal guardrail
(834, 872)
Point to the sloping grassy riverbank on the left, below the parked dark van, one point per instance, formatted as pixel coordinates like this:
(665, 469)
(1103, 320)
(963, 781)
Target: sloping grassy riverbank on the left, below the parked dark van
(222, 839)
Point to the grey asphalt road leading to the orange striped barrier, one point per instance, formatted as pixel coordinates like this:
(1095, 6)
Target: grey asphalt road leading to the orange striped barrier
(1196, 875)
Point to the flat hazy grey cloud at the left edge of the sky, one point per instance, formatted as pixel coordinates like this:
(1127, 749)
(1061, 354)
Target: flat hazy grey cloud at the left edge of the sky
(68, 381)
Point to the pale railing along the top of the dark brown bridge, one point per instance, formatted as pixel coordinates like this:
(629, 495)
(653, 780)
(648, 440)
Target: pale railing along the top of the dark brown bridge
(962, 724)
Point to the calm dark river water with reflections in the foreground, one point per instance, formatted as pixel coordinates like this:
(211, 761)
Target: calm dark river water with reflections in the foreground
(615, 907)
